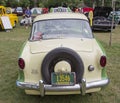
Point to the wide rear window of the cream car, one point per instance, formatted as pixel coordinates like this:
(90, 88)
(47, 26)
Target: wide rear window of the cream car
(65, 28)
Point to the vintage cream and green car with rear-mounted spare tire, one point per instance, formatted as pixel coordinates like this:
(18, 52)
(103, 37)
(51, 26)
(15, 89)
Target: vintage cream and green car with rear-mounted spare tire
(61, 57)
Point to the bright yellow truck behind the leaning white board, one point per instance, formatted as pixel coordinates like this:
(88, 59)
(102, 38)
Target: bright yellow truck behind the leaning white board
(8, 12)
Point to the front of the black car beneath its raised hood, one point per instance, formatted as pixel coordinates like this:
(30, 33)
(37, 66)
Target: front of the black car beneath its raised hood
(102, 23)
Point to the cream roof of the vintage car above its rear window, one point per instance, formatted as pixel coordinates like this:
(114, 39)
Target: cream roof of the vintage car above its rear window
(60, 15)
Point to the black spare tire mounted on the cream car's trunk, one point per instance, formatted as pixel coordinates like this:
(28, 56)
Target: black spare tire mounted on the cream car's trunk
(58, 55)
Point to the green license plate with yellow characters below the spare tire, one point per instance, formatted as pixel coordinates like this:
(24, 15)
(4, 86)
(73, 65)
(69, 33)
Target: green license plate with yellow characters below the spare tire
(63, 78)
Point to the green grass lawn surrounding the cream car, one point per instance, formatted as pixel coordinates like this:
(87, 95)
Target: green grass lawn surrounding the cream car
(10, 44)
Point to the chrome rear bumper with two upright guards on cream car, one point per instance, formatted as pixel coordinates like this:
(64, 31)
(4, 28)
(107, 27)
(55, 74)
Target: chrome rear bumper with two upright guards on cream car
(82, 87)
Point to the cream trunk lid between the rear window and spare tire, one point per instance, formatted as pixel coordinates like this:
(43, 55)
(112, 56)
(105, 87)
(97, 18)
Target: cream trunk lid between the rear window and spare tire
(85, 45)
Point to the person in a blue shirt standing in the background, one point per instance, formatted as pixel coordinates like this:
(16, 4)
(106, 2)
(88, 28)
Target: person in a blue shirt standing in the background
(28, 19)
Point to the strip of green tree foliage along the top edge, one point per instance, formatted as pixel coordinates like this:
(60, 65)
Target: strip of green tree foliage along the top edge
(53, 3)
